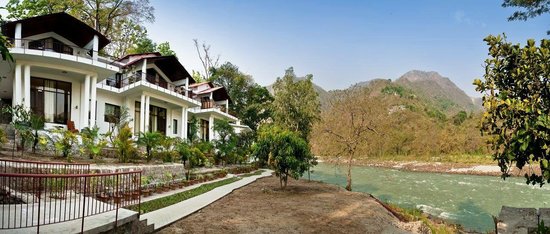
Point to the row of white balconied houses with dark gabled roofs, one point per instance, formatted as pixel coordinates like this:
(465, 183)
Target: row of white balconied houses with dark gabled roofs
(59, 74)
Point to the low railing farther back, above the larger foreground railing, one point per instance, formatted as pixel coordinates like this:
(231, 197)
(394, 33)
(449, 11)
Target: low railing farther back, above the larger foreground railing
(35, 167)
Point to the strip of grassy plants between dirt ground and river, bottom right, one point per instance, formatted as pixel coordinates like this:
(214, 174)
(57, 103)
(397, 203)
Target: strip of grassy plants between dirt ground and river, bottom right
(414, 214)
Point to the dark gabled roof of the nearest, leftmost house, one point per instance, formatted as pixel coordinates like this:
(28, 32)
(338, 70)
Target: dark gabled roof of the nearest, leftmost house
(61, 23)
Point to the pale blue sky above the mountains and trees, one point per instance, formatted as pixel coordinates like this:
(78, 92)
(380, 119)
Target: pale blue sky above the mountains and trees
(341, 42)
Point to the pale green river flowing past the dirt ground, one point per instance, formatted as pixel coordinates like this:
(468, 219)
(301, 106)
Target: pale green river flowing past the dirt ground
(468, 200)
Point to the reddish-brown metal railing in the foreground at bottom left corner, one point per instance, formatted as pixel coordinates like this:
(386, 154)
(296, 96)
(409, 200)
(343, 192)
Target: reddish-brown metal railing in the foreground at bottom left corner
(33, 200)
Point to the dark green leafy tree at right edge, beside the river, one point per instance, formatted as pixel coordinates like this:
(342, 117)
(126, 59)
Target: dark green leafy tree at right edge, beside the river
(516, 97)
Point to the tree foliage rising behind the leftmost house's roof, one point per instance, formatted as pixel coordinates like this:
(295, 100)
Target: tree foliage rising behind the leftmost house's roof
(122, 21)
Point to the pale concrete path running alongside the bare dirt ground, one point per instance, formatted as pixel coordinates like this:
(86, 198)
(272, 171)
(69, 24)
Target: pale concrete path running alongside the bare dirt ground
(165, 216)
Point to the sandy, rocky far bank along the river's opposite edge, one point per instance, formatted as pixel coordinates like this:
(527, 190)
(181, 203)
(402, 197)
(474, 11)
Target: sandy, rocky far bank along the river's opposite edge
(485, 169)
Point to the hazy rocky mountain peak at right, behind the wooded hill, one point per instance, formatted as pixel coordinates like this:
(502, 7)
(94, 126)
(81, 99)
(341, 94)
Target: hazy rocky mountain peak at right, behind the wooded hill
(439, 91)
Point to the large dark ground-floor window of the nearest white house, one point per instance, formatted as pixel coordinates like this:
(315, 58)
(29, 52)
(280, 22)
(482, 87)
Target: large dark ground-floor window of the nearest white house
(51, 99)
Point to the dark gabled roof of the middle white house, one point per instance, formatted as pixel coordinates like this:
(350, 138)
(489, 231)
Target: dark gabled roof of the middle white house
(169, 65)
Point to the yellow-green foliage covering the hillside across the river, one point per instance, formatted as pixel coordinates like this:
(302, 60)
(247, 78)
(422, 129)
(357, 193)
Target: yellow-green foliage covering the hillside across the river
(408, 132)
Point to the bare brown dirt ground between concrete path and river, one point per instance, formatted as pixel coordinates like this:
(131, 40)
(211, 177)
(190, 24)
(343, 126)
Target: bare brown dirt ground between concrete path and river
(304, 207)
